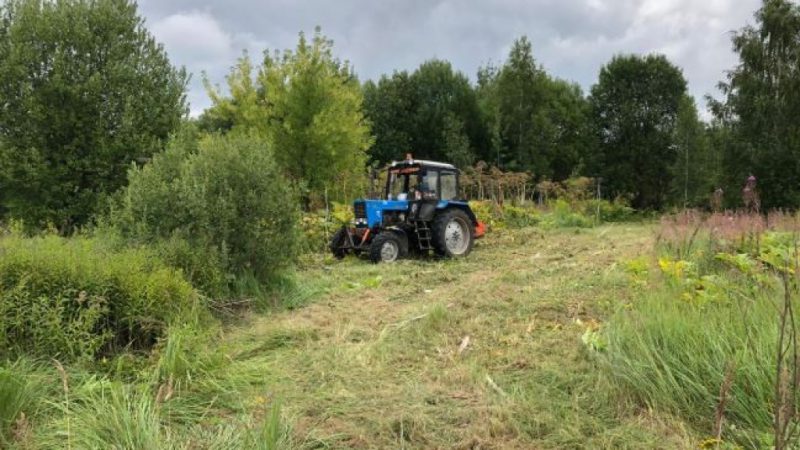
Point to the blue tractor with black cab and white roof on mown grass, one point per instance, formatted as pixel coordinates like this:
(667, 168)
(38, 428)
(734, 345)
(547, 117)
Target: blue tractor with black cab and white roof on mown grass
(420, 212)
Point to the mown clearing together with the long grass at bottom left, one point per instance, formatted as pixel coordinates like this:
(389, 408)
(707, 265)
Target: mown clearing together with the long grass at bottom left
(483, 352)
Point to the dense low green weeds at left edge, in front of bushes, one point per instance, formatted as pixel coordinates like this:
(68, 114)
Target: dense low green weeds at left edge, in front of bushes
(77, 299)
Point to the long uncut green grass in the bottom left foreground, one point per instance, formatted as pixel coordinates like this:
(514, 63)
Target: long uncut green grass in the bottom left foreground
(190, 397)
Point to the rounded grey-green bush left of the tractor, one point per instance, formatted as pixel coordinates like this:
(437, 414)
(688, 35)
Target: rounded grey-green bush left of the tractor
(215, 206)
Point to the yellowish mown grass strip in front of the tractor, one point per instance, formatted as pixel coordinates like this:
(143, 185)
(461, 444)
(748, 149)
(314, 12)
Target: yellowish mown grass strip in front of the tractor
(484, 352)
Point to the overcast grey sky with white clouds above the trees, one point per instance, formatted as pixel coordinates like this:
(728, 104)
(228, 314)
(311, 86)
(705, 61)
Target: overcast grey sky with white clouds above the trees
(572, 39)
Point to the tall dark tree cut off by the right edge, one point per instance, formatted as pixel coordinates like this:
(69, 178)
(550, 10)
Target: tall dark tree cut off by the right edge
(761, 106)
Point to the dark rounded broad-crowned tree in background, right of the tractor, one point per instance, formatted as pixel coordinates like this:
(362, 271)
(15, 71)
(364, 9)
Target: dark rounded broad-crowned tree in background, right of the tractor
(634, 111)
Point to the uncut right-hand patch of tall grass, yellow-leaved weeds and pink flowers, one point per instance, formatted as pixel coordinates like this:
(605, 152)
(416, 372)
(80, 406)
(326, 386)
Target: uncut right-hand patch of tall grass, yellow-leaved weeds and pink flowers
(700, 342)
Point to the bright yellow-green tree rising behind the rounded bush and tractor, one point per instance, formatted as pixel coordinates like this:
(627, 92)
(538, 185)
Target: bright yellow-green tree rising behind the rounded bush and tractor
(308, 104)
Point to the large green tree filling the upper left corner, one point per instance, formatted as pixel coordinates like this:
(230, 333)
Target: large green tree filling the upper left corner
(85, 90)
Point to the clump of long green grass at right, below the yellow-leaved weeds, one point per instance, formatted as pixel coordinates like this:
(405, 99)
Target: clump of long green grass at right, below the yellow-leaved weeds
(672, 356)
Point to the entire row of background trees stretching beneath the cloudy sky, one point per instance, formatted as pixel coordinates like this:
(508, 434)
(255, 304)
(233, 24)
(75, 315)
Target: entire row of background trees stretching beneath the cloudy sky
(87, 95)
